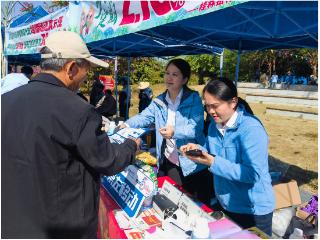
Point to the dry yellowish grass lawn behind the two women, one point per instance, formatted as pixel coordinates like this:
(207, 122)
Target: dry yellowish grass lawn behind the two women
(293, 143)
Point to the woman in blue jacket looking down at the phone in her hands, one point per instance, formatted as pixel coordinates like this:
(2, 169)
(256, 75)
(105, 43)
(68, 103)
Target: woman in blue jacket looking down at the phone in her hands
(236, 152)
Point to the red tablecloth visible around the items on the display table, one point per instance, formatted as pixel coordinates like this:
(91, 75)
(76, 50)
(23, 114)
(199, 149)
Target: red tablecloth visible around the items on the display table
(108, 226)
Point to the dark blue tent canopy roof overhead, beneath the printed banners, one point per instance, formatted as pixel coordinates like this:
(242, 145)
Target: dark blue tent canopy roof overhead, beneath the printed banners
(253, 25)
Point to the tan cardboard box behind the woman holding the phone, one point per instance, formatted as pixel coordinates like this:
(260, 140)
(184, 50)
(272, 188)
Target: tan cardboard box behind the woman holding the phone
(287, 194)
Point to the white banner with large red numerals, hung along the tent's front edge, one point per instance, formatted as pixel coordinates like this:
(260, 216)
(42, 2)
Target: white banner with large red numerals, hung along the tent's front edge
(107, 19)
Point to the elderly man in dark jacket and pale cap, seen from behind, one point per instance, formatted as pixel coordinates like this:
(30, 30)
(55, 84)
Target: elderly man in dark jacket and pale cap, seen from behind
(53, 149)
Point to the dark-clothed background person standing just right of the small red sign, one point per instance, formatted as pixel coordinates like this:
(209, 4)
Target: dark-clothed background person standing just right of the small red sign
(124, 99)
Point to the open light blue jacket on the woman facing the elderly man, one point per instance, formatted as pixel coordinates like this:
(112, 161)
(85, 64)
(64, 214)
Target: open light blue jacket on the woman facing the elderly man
(188, 128)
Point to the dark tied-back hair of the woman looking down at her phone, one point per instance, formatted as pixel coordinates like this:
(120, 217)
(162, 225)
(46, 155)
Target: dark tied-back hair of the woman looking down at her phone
(224, 89)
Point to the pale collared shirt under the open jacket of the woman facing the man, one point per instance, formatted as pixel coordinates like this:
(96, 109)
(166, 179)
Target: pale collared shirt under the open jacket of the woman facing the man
(170, 151)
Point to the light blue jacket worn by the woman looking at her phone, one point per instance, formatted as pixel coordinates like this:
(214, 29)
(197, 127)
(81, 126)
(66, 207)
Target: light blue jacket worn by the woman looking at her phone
(241, 173)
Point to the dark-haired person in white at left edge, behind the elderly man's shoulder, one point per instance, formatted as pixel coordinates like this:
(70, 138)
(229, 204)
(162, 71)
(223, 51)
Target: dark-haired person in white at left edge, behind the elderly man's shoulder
(14, 80)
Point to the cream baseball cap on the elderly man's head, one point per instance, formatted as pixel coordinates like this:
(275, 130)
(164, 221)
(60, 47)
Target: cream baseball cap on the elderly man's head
(66, 44)
